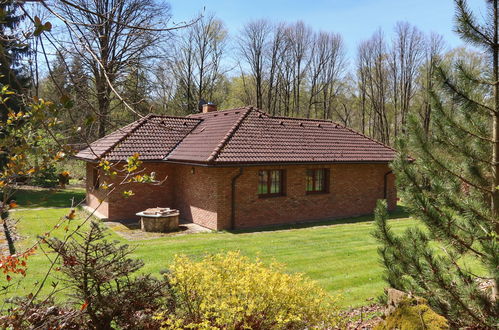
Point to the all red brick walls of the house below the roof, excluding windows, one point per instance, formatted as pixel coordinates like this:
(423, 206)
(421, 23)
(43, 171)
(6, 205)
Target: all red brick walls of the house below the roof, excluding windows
(204, 194)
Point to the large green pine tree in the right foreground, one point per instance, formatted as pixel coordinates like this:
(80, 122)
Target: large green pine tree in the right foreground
(452, 189)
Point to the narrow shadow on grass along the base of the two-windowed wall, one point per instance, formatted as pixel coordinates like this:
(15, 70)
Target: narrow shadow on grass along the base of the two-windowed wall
(399, 213)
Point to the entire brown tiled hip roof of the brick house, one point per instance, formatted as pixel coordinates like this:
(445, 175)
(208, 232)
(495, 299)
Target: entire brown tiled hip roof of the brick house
(241, 136)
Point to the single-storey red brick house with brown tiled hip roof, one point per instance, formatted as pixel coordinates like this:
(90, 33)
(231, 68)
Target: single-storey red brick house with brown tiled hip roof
(242, 168)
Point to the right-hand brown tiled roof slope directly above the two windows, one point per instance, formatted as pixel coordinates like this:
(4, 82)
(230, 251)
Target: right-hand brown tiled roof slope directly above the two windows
(261, 138)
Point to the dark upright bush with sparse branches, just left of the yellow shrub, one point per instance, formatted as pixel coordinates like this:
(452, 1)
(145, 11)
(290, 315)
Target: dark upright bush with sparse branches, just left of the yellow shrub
(99, 273)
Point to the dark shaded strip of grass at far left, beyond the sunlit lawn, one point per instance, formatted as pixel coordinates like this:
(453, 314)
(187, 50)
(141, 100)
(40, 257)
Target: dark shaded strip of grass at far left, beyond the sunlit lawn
(32, 198)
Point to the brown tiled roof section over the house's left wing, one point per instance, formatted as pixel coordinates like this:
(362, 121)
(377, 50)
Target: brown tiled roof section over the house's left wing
(152, 137)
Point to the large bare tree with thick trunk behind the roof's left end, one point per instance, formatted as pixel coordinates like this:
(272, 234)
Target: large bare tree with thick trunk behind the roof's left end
(110, 35)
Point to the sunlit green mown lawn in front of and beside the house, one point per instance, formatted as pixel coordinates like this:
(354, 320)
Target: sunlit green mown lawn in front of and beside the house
(340, 255)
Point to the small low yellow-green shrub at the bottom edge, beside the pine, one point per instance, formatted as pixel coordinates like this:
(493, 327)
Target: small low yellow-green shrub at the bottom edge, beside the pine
(413, 314)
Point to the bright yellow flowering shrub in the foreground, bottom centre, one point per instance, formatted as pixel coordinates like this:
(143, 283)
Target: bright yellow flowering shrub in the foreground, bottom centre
(230, 291)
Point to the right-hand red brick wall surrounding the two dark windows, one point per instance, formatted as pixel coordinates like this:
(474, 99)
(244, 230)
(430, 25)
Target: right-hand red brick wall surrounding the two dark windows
(353, 190)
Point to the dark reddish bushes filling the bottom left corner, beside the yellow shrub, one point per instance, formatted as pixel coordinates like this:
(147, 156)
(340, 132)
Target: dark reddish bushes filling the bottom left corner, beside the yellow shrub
(101, 289)
